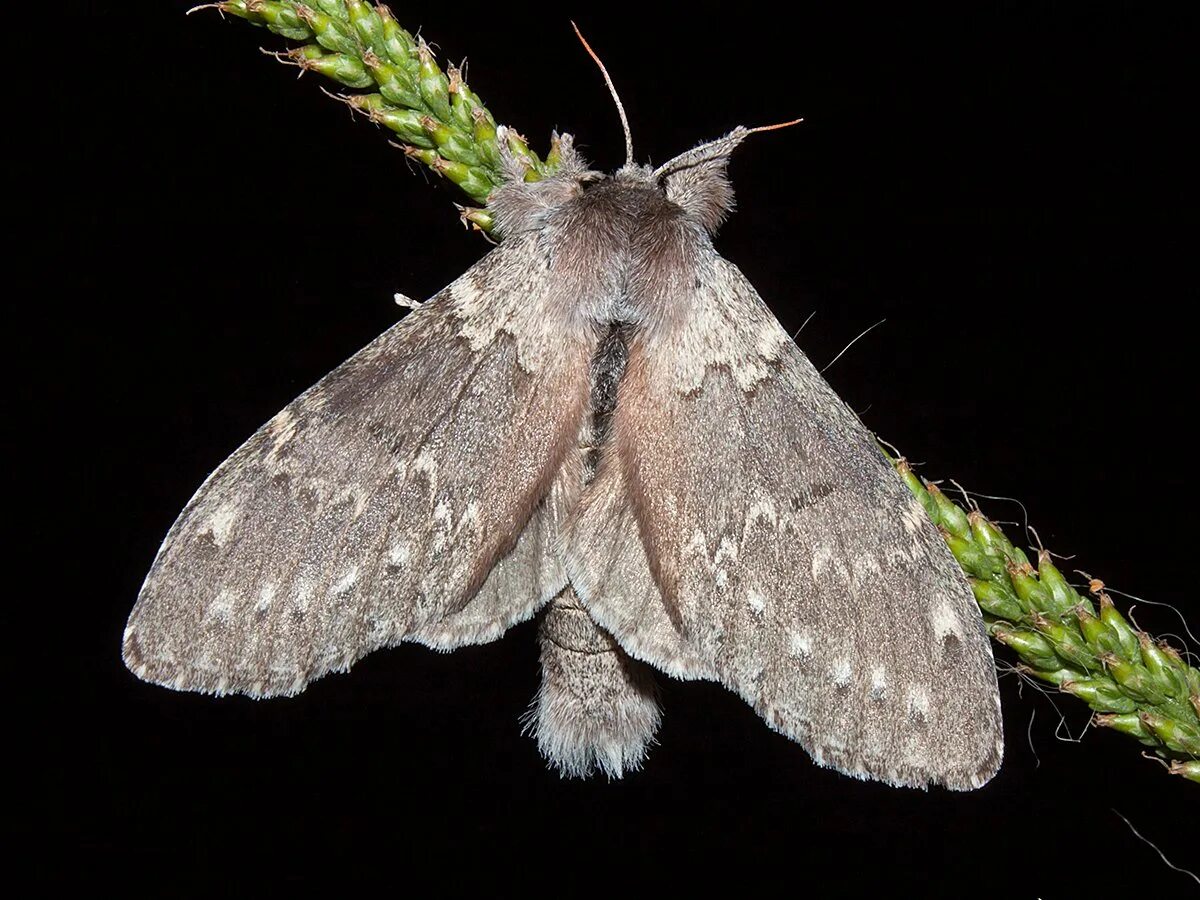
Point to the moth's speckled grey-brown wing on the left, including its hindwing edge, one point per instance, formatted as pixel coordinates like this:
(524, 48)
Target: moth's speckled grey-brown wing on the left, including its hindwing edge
(415, 494)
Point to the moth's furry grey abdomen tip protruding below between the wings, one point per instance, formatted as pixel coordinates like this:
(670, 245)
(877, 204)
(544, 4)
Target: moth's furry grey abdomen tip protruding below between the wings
(597, 709)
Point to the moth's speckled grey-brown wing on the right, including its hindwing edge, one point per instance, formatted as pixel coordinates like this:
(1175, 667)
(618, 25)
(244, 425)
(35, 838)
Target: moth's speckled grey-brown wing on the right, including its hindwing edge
(746, 527)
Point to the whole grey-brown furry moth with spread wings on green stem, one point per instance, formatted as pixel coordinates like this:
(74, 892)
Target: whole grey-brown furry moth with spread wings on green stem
(601, 423)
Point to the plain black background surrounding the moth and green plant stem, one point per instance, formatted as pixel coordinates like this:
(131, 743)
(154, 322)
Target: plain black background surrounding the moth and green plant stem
(1005, 187)
